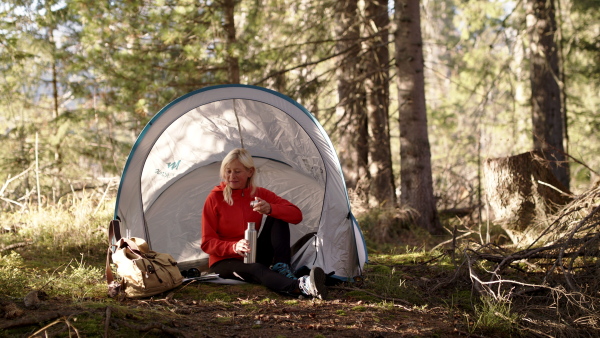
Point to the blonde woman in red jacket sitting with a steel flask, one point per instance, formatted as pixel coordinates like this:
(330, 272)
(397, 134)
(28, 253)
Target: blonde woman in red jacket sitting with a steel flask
(227, 211)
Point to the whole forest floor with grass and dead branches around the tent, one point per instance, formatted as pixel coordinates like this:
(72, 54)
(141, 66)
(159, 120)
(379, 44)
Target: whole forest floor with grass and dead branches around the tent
(411, 290)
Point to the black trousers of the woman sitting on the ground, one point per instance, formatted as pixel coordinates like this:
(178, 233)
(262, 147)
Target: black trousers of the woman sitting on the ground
(273, 246)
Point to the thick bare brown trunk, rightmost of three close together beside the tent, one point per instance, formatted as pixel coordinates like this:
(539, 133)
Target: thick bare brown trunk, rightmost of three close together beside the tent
(415, 154)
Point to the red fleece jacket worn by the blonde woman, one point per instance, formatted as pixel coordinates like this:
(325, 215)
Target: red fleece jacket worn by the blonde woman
(223, 225)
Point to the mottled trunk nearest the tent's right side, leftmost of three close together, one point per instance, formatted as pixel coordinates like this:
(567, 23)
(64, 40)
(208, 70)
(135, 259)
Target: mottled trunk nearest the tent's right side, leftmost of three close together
(353, 125)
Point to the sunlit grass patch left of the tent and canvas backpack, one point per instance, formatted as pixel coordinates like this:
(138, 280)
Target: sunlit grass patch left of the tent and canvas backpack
(66, 246)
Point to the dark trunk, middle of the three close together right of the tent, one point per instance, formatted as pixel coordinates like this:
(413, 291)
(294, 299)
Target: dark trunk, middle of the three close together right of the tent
(377, 84)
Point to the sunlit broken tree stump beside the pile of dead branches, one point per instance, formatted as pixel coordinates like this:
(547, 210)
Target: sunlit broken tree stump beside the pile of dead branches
(522, 190)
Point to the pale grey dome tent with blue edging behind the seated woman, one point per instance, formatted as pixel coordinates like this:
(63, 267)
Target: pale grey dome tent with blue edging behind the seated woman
(175, 163)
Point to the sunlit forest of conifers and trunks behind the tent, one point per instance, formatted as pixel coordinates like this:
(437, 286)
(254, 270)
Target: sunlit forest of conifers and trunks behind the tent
(79, 79)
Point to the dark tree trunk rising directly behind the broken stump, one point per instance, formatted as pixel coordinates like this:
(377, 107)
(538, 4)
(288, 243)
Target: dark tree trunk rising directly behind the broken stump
(547, 117)
